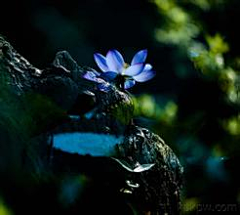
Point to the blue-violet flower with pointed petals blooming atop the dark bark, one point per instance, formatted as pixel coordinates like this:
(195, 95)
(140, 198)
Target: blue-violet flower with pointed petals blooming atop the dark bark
(115, 70)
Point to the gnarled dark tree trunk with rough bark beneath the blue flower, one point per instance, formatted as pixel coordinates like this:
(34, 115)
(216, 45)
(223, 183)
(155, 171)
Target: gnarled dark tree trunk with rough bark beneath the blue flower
(143, 175)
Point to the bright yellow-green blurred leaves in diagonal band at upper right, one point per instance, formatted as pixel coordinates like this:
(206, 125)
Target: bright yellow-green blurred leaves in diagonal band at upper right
(181, 30)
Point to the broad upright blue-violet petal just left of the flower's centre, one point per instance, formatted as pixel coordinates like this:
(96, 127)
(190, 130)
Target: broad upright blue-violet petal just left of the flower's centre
(114, 61)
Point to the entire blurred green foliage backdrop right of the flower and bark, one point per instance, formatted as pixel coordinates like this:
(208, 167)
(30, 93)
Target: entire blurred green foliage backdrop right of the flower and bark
(206, 127)
